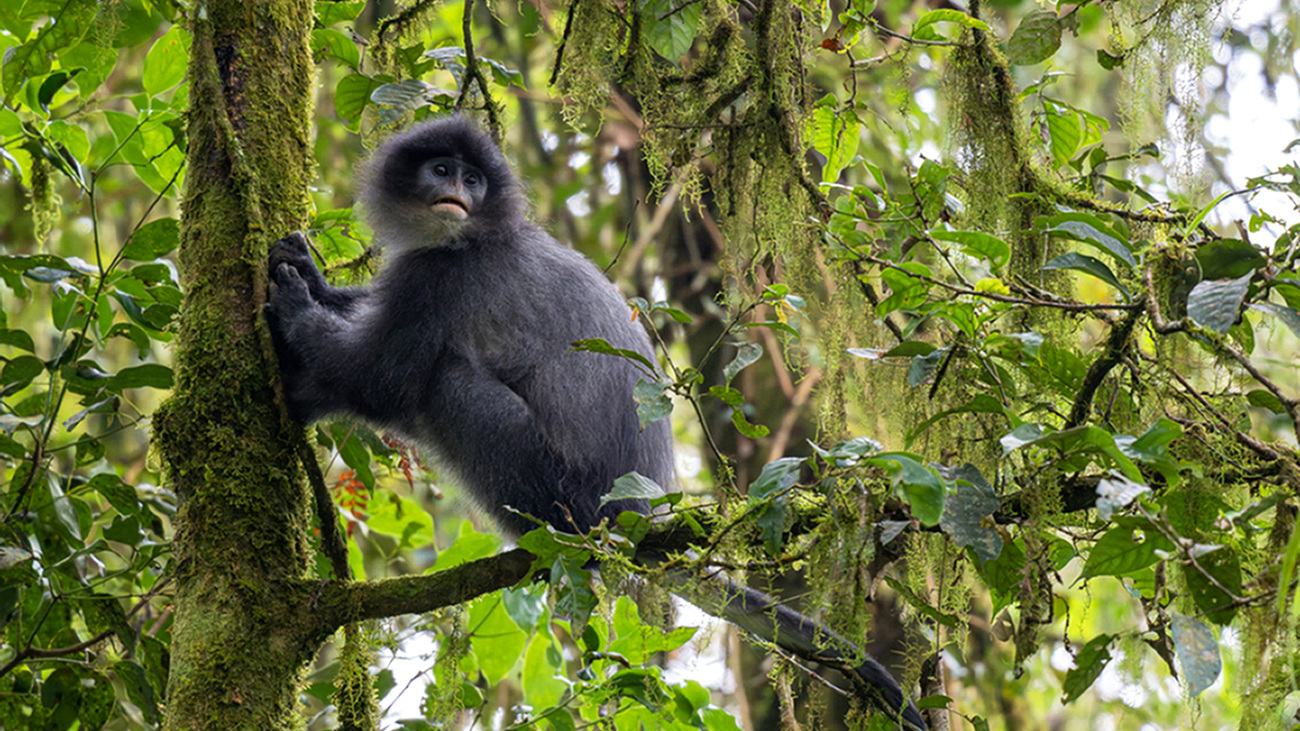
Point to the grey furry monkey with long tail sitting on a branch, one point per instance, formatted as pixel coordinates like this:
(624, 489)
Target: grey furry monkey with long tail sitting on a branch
(462, 344)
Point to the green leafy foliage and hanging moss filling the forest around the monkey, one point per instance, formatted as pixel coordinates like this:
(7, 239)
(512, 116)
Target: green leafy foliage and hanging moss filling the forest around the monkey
(1046, 378)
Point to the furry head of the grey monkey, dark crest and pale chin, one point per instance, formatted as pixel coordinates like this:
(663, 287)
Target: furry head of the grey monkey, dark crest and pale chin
(396, 183)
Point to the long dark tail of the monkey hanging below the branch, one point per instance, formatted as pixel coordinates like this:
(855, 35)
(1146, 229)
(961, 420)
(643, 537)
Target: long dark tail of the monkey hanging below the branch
(804, 637)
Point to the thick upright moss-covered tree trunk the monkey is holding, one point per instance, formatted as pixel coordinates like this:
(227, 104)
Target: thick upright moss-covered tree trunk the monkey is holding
(241, 637)
